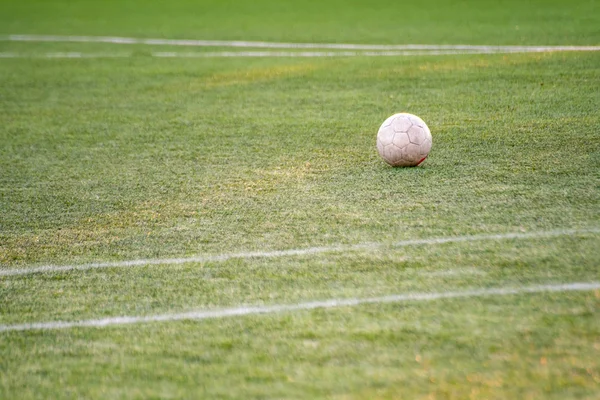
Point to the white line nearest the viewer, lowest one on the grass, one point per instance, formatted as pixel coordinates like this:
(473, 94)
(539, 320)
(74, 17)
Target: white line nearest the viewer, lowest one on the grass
(273, 309)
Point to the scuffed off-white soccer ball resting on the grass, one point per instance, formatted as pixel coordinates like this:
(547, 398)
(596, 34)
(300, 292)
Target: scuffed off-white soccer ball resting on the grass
(404, 140)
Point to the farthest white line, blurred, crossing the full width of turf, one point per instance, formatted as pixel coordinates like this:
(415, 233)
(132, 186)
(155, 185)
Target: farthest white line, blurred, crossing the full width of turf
(278, 45)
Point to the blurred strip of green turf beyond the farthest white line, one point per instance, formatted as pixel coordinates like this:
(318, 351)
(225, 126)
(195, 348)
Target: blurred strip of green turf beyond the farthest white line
(374, 21)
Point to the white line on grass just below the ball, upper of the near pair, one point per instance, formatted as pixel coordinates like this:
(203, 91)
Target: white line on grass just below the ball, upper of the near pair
(295, 252)
